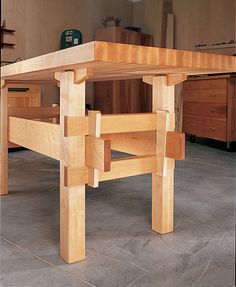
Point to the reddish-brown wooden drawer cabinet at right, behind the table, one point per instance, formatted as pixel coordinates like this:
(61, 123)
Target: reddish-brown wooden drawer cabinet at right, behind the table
(209, 108)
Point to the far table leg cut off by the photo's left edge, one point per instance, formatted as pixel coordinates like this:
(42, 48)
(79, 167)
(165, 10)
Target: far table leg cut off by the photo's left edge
(3, 140)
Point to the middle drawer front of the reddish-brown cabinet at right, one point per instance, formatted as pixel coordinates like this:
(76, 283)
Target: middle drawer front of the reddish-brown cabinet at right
(205, 109)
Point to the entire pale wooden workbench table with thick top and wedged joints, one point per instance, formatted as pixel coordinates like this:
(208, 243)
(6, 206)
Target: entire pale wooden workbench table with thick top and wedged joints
(83, 144)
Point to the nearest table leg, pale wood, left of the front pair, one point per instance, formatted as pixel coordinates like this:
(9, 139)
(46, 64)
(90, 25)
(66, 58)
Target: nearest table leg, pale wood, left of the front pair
(72, 199)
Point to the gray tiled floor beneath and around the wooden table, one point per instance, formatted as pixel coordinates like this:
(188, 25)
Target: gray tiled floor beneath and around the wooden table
(121, 248)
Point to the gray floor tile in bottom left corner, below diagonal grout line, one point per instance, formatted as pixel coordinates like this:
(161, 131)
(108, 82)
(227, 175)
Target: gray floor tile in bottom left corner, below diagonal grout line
(21, 269)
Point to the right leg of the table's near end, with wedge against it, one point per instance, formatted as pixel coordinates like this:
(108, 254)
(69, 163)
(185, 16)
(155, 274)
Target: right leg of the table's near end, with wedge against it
(163, 179)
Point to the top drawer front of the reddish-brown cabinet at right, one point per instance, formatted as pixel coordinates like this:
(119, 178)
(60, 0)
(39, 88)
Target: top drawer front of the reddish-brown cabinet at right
(205, 96)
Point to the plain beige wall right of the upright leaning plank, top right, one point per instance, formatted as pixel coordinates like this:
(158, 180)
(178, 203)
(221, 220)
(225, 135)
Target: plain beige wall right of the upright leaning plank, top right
(203, 22)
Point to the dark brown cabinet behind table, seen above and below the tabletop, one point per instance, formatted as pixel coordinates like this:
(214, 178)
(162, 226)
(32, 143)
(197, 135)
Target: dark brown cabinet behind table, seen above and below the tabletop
(126, 96)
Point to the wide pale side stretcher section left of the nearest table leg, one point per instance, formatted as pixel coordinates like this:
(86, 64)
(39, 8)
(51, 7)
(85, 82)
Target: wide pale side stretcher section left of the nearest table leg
(37, 136)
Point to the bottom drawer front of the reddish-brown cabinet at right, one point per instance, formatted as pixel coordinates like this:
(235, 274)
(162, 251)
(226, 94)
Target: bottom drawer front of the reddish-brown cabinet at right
(205, 127)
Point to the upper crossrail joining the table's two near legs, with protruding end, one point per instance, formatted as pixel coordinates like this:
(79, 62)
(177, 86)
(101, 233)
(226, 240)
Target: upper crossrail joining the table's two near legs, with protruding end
(120, 123)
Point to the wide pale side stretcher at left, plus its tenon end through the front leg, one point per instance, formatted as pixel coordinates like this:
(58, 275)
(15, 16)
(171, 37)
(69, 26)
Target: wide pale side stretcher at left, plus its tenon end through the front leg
(44, 138)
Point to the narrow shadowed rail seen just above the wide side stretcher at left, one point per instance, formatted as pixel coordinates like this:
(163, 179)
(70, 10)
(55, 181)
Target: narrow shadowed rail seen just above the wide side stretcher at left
(34, 112)
